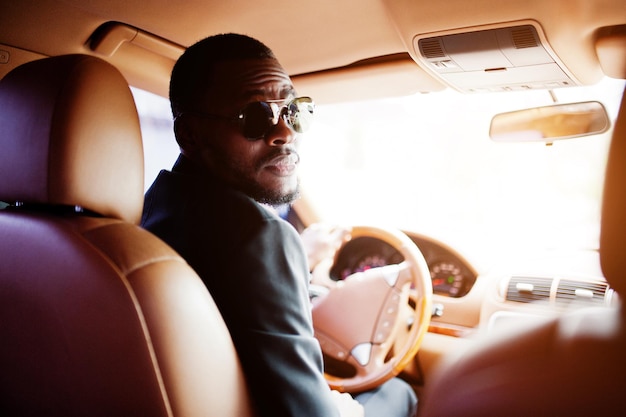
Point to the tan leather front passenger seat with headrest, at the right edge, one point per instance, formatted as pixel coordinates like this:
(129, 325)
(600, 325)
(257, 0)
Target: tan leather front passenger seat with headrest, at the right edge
(573, 366)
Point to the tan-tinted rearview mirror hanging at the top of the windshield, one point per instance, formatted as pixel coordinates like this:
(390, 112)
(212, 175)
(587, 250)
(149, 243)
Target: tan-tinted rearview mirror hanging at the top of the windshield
(550, 123)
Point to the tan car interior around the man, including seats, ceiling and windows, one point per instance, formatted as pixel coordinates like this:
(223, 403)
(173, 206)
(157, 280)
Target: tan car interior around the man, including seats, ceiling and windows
(100, 317)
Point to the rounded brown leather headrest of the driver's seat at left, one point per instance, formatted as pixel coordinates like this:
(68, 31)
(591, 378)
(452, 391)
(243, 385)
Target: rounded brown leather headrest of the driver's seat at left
(70, 136)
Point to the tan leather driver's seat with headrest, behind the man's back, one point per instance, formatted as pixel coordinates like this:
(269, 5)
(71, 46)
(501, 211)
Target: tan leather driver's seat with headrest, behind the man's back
(97, 316)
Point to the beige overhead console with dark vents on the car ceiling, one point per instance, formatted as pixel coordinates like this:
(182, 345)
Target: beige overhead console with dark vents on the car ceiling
(503, 58)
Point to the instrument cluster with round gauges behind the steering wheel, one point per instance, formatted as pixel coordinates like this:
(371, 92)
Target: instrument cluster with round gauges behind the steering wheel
(451, 274)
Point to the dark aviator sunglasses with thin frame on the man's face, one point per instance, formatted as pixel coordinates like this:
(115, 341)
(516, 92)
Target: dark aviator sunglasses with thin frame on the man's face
(257, 119)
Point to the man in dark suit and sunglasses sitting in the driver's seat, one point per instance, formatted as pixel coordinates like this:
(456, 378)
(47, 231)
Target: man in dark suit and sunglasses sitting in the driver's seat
(236, 120)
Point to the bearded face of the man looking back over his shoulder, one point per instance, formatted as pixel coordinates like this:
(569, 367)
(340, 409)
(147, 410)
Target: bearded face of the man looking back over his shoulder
(264, 169)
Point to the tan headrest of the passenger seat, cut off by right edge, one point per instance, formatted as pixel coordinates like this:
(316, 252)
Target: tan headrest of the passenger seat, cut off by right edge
(613, 229)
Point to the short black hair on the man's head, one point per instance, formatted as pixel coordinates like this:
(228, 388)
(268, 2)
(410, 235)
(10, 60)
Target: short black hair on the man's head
(192, 73)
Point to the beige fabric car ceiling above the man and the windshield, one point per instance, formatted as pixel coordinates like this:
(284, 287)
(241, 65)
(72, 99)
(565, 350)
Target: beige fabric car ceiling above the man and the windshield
(364, 46)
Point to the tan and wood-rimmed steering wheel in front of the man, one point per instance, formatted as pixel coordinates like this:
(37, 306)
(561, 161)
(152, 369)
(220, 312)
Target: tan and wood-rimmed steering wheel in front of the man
(365, 324)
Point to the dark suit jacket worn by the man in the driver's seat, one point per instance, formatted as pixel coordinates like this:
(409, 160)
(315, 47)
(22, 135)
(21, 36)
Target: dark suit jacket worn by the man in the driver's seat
(255, 268)
